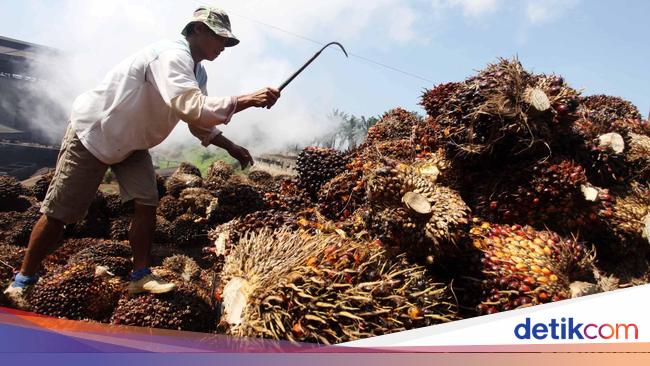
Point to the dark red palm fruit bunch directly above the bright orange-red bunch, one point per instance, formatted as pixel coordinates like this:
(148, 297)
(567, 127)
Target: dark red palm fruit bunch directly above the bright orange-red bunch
(546, 193)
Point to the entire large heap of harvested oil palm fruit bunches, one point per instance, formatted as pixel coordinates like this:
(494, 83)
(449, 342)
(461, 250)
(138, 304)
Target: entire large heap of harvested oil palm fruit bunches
(514, 190)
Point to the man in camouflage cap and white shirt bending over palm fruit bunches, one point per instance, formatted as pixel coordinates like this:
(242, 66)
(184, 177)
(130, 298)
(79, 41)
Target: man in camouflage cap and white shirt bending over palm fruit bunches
(135, 108)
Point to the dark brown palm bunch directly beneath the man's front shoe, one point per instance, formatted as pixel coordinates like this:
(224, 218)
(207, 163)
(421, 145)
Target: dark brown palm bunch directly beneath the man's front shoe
(182, 309)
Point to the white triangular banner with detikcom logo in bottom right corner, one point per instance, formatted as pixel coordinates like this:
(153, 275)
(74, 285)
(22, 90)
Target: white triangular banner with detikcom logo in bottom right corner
(615, 316)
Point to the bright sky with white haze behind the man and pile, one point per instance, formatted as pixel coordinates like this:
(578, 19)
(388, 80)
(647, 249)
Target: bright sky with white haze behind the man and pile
(598, 46)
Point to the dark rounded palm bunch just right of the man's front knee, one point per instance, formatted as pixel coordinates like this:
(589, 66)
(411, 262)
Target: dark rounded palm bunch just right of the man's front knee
(236, 200)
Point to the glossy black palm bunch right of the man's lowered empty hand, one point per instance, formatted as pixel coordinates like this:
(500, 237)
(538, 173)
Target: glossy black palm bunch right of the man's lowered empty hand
(316, 166)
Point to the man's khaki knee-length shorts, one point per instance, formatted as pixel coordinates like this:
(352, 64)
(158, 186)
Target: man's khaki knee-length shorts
(79, 173)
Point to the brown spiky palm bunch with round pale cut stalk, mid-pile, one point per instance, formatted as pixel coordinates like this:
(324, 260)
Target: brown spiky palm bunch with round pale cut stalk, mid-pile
(409, 211)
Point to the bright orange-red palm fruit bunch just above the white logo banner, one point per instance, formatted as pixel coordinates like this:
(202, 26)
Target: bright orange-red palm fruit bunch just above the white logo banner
(522, 266)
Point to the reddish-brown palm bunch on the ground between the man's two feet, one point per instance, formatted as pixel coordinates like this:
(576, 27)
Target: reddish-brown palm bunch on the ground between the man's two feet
(75, 292)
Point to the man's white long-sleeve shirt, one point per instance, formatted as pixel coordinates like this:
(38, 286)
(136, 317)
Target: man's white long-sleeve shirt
(141, 100)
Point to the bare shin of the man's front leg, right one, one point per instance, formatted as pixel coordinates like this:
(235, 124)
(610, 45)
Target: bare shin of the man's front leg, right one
(141, 233)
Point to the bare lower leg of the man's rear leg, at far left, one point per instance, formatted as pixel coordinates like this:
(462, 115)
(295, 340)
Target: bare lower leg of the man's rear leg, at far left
(46, 236)
